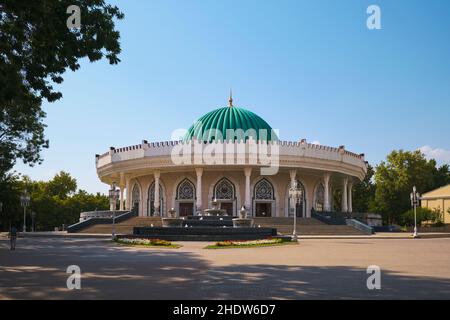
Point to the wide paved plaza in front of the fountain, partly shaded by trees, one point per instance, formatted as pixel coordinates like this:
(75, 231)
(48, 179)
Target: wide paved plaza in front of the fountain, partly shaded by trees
(315, 269)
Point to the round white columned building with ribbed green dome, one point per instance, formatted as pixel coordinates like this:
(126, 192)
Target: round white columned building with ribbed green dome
(231, 155)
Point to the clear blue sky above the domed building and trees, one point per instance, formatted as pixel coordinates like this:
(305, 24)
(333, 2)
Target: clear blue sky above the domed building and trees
(311, 69)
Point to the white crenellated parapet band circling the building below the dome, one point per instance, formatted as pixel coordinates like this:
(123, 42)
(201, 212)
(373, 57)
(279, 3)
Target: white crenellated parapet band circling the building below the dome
(258, 153)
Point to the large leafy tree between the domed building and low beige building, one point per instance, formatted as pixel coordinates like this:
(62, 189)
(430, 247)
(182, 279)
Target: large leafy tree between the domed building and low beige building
(395, 179)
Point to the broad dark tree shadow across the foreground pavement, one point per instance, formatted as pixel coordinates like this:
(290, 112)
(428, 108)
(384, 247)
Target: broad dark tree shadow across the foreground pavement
(38, 271)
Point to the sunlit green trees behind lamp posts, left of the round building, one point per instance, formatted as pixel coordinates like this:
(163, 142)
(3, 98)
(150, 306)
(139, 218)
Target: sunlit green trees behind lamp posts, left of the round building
(55, 202)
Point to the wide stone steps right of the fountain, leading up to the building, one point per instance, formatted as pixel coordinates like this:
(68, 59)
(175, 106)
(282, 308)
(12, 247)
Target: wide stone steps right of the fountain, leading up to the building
(309, 226)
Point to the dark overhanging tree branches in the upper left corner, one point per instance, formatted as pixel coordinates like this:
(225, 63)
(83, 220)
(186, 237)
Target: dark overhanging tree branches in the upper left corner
(36, 49)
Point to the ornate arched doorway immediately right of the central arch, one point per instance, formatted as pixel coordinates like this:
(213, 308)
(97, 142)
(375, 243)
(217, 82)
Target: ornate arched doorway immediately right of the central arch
(264, 199)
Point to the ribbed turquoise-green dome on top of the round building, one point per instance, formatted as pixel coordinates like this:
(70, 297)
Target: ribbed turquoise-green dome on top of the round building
(214, 125)
